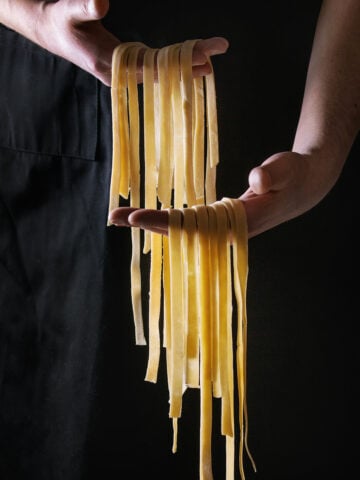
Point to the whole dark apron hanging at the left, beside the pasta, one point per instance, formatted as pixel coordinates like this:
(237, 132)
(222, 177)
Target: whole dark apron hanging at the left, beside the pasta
(54, 174)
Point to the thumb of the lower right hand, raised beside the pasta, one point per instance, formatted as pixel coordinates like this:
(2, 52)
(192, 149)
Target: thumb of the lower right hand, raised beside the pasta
(275, 173)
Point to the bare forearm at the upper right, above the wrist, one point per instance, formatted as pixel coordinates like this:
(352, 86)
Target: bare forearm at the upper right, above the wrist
(330, 115)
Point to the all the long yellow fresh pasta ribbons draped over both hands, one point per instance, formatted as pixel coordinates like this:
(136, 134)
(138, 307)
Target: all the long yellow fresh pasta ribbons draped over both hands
(201, 266)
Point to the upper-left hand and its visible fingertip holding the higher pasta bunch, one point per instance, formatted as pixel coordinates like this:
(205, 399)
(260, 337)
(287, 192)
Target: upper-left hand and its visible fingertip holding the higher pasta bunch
(73, 30)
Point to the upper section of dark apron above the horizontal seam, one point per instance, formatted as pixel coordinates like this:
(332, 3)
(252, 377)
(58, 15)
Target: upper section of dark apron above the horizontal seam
(47, 105)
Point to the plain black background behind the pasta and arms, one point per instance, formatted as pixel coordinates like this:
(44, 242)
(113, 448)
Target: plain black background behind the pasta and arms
(302, 341)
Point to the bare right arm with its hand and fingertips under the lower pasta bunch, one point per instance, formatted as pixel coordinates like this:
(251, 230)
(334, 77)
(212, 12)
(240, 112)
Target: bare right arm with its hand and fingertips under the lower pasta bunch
(287, 184)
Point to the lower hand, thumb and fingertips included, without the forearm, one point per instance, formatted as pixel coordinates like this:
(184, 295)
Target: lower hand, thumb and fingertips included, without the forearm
(285, 186)
